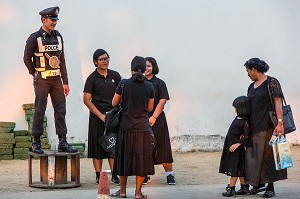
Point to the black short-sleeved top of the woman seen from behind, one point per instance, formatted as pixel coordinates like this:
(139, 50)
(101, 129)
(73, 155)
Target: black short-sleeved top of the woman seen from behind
(136, 95)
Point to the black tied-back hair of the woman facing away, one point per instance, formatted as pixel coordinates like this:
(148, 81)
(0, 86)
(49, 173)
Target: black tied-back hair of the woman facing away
(138, 65)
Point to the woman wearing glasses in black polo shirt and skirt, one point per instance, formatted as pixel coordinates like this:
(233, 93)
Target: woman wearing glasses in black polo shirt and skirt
(99, 90)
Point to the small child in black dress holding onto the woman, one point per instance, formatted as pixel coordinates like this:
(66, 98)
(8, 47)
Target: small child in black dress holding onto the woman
(233, 157)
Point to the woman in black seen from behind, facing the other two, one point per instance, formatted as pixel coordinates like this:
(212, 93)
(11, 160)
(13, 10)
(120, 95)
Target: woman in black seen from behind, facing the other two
(133, 148)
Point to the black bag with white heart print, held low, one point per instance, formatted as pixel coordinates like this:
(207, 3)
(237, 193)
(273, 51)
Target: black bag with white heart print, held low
(108, 142)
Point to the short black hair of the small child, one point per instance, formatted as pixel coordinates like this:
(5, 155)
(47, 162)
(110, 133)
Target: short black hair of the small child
(242, 106)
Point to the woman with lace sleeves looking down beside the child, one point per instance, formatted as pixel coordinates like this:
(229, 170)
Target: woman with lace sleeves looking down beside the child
(260, 166)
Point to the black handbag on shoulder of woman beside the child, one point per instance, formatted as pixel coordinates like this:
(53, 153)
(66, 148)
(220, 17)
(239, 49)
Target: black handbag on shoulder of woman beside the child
(288, 119)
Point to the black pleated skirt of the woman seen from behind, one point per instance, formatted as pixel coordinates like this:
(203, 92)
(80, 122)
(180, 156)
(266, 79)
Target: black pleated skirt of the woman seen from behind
(133, 154)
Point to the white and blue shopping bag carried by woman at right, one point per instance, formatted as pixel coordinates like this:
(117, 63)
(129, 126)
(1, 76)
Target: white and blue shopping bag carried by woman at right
(282, 153)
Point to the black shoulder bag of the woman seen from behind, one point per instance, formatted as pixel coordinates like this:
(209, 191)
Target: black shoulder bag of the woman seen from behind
(112, 117)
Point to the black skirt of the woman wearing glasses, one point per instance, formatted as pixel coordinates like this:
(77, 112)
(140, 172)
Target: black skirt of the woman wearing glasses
(96, 130)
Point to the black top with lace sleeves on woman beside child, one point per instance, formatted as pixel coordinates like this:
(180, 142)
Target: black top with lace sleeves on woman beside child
(260, 104)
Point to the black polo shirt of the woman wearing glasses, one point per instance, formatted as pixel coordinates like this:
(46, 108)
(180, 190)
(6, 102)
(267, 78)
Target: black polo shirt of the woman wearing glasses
(102, 89)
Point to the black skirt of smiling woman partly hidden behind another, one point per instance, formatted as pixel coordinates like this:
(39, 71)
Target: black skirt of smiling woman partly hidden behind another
(162, 139)
